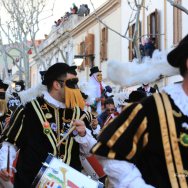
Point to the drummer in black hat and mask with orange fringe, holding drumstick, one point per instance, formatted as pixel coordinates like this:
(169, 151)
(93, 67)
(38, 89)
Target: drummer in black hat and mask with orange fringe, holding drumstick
(37, 128)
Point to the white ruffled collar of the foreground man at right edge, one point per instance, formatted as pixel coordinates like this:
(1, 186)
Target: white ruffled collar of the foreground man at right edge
(180, 98)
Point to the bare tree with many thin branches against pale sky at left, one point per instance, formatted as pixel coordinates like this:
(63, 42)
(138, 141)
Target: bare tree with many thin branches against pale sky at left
(21, 26)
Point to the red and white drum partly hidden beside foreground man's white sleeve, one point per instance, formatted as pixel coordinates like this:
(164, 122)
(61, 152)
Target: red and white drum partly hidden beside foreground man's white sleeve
(92, 167)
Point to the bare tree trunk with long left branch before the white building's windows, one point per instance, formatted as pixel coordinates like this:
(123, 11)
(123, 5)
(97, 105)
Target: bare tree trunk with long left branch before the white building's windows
(136, 7)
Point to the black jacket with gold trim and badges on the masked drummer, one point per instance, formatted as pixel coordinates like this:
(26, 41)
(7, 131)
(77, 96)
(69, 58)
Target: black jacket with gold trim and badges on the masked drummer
(36, 140)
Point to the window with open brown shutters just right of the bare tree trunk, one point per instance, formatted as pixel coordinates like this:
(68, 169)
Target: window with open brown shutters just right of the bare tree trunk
(153, 28)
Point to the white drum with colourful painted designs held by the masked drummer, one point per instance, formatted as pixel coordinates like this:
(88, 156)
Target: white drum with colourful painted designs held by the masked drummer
(56, 174)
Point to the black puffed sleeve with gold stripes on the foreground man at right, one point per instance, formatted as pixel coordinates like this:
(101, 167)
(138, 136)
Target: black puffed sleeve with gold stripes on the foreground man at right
(124, 137)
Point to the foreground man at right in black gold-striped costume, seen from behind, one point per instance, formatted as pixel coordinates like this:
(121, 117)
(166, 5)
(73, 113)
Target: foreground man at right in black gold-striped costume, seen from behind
(153, 134)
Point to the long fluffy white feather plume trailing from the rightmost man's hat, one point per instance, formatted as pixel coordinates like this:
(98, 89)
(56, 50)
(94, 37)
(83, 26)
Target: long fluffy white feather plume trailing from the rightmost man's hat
(133, 73)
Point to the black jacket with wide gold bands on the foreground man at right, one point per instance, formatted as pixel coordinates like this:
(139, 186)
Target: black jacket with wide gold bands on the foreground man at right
(152, 136)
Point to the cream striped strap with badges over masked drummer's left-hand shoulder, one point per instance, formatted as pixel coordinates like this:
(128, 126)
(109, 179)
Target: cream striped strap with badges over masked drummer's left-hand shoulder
(43, 119)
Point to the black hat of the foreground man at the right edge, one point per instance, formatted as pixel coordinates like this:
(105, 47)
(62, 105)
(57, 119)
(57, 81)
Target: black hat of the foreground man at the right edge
(179, 54)
